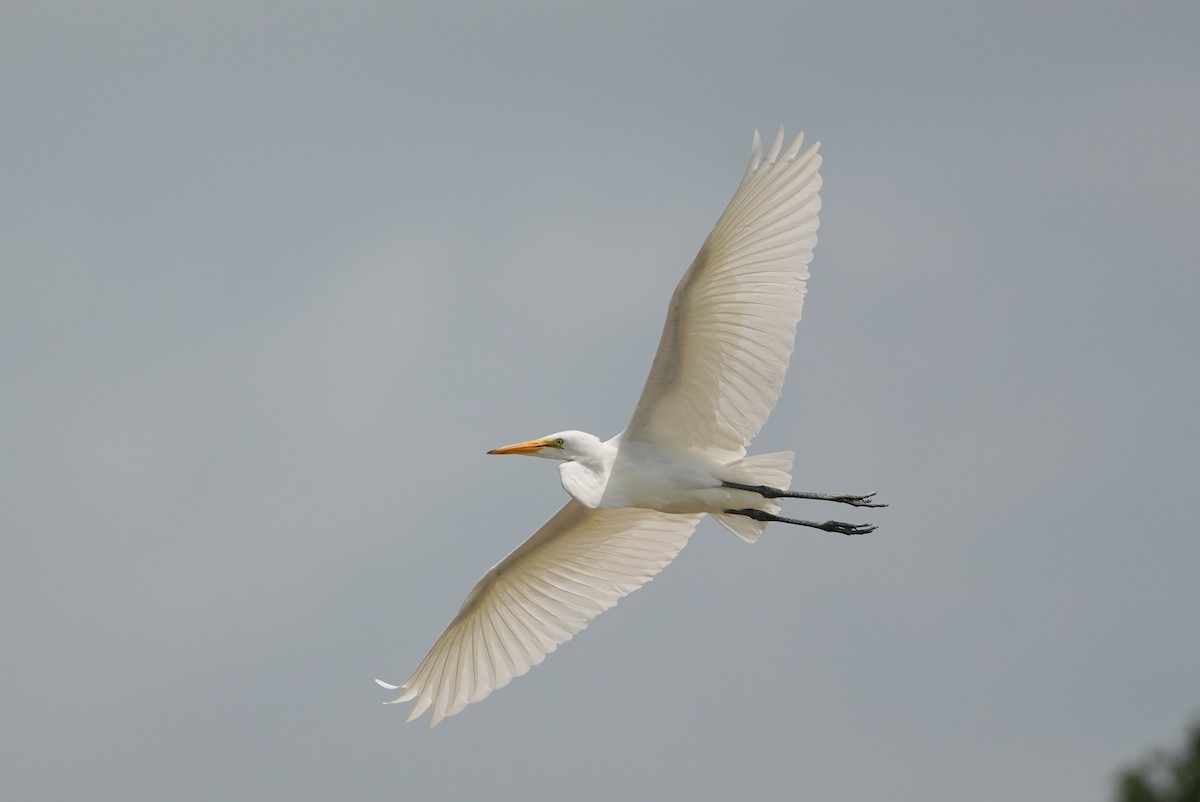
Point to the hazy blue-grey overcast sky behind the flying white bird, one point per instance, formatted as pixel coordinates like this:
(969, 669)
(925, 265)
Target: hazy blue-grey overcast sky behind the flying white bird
(274, 277)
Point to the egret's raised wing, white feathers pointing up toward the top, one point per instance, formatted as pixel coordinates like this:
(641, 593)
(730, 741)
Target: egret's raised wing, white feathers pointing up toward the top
(733, 320)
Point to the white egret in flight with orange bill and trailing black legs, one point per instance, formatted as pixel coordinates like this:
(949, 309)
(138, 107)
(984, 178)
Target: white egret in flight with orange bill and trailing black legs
(638, 498)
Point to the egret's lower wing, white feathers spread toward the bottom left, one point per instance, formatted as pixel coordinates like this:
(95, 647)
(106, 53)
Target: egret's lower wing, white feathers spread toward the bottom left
(574, 568)
